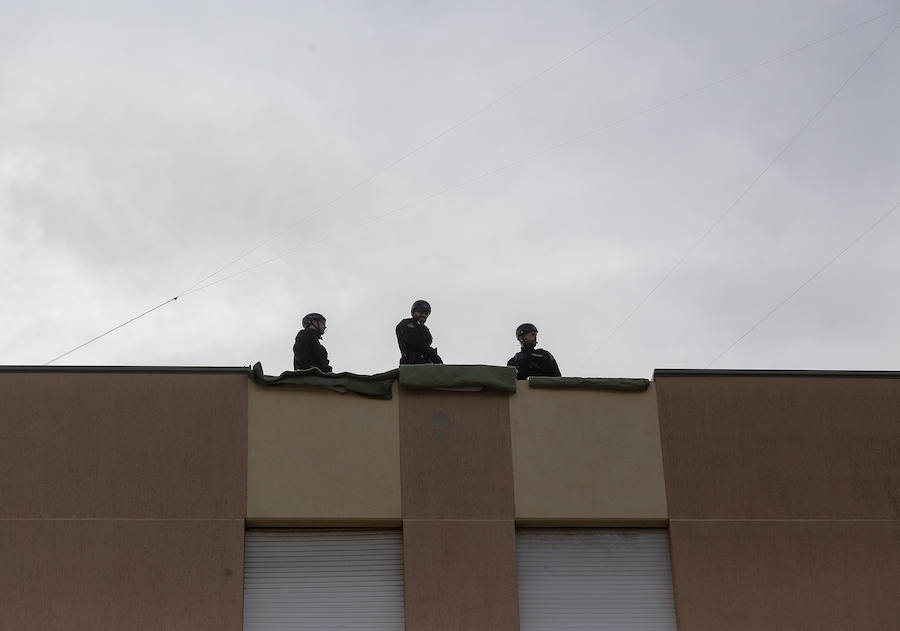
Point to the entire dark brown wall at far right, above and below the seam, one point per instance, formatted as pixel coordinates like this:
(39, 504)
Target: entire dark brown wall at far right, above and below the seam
(783, 495)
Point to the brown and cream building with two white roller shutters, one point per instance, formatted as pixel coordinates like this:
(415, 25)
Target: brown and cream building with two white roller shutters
(451, 497)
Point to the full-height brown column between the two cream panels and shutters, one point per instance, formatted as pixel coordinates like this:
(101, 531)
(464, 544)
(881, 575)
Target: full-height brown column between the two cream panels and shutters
(458, 511)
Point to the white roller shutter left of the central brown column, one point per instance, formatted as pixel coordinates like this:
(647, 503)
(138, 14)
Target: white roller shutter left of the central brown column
(323, 579)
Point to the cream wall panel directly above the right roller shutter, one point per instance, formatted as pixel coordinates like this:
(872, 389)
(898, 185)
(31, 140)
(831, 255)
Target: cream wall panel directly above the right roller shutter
(584, 457)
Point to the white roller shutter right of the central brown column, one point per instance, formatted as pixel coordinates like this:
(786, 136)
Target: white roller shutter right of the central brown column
(580, 579)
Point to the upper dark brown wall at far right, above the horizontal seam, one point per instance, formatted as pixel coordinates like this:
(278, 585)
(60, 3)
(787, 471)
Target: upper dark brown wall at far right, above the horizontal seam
(769, 447)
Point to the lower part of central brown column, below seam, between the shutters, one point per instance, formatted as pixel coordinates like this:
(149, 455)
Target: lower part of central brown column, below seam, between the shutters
(460, 575)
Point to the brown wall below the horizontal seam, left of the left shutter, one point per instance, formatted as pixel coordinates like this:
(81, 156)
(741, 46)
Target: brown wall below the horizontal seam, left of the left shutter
(110, 575)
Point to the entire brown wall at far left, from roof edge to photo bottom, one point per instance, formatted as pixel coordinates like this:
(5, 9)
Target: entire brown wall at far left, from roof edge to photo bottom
(123, 499)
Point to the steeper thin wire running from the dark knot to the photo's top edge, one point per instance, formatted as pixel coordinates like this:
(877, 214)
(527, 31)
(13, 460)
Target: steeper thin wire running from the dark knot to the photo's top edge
(430, 141)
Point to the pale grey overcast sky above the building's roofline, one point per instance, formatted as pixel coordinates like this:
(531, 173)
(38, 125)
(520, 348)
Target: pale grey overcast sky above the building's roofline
(143, 146)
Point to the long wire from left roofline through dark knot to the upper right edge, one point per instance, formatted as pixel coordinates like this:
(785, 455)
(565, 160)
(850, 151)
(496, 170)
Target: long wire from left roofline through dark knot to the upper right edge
(643, 112)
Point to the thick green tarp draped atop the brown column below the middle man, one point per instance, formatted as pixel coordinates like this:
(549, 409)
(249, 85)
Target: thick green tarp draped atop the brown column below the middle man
(457, 377)
